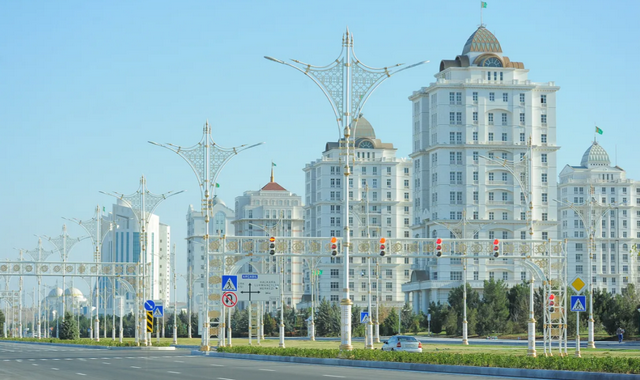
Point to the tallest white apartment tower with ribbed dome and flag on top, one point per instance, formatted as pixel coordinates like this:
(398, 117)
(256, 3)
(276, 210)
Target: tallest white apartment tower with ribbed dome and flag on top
(481, 111)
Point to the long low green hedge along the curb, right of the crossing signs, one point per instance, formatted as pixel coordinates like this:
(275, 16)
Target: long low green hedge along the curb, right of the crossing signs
(593, 364)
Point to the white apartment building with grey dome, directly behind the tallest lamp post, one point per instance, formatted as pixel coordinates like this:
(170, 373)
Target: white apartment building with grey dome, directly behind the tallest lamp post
(380, 193)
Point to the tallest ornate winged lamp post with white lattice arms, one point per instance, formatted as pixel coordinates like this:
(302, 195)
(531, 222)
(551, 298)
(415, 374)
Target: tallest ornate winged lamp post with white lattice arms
(347, 83)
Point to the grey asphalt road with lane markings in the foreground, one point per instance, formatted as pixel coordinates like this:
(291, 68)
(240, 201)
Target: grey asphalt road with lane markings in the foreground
(20, 361)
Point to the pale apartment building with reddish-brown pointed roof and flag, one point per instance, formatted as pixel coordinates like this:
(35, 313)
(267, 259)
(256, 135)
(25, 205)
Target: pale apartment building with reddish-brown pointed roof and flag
(272, 211)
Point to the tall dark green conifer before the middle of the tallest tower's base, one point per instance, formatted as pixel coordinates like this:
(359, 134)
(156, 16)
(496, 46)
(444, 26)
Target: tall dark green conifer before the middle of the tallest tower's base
(494, 308)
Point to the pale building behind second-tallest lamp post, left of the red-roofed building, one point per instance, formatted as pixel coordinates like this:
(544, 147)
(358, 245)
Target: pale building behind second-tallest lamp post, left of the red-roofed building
(220, 224)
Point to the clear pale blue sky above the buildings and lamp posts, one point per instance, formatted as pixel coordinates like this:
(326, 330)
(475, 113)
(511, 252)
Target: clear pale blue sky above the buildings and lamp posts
(84, 85)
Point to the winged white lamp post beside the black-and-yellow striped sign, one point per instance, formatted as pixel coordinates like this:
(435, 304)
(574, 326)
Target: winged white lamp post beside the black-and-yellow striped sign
(143, 203)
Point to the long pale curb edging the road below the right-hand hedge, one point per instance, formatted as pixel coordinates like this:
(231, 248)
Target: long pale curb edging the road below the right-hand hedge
(467, 370)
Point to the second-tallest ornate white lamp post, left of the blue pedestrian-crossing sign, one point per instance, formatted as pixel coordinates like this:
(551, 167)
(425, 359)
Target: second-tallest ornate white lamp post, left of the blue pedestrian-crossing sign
(207, 159)
